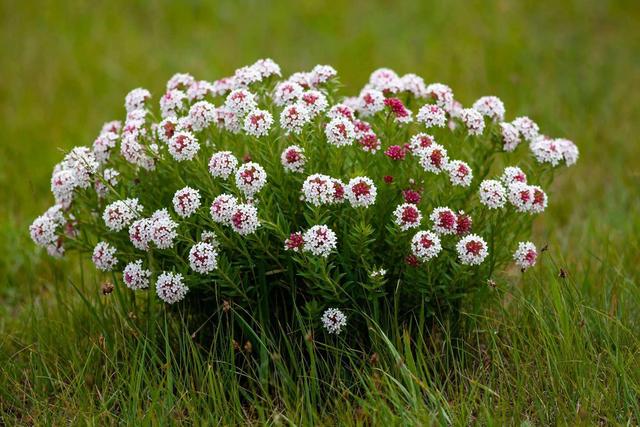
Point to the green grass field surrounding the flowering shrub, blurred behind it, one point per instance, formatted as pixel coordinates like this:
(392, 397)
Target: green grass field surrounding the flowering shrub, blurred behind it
(553, 351)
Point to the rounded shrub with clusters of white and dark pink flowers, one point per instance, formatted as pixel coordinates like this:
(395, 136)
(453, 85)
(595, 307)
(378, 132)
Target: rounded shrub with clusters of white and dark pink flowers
(279, 195)
